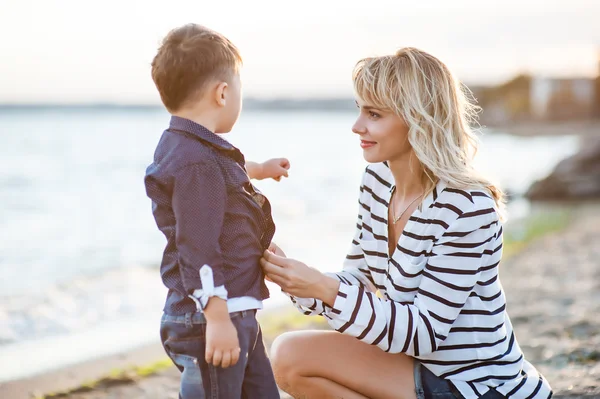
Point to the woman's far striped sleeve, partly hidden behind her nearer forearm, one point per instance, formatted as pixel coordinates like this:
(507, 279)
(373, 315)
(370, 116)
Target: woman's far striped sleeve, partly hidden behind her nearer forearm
(354, 272)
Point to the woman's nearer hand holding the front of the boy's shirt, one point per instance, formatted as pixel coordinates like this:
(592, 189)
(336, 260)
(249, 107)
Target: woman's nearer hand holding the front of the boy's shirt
(298, 279)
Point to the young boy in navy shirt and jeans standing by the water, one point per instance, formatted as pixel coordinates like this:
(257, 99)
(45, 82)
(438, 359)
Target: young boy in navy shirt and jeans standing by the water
(216, 223)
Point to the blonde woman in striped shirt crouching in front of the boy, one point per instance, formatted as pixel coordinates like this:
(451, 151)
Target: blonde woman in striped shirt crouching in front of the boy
(418, 308)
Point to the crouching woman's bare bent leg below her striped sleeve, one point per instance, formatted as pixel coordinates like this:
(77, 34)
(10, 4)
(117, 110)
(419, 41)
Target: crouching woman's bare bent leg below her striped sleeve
(363, 368)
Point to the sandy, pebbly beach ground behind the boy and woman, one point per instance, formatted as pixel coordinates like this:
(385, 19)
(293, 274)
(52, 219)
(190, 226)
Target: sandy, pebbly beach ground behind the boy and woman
(554, 310)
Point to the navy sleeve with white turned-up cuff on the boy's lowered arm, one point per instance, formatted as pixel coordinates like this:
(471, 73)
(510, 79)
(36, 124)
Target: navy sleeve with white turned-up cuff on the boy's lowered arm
(199, 198)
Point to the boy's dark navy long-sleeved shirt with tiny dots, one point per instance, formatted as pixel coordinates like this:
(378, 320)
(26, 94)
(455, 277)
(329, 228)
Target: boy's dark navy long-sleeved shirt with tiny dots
(210, 213)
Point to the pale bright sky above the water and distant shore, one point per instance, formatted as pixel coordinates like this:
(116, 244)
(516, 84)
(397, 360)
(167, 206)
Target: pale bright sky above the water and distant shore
(72, 51)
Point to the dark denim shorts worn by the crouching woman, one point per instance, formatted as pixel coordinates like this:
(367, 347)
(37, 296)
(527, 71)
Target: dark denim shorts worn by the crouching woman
(430, 386)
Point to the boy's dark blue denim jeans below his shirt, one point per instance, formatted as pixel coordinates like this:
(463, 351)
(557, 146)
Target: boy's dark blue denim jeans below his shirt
(184, 339)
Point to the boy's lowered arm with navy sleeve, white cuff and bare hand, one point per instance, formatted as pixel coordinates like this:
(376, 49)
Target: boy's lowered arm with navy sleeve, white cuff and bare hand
(199, 198)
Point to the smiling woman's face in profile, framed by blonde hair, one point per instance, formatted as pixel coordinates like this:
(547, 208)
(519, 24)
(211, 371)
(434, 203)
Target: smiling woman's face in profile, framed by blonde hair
(383, 134)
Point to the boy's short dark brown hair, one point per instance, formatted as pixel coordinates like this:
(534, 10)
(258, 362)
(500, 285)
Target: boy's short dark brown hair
(190, 57)
